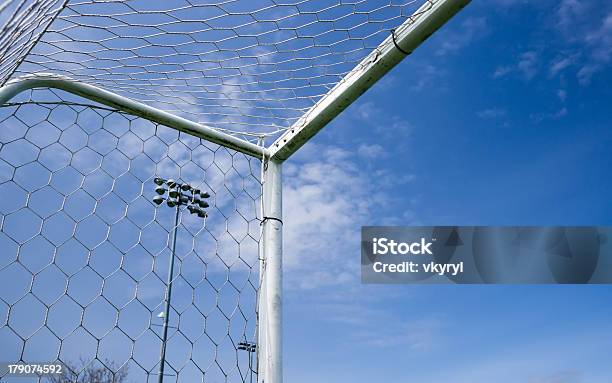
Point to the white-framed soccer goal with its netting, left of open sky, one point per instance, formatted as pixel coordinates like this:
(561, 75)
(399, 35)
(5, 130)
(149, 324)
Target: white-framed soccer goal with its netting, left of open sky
(97, 98)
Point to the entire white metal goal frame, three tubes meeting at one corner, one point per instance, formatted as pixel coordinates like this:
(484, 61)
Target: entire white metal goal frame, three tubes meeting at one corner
(402, 40)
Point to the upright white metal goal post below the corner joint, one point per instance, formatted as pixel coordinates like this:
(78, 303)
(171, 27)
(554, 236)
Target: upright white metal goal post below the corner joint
(270, 367)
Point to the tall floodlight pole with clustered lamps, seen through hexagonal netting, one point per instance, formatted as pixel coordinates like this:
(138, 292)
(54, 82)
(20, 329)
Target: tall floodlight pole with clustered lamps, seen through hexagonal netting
(178, 195)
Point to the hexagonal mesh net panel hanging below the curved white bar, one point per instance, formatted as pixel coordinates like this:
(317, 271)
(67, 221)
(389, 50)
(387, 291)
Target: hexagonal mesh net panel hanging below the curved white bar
(85, 253)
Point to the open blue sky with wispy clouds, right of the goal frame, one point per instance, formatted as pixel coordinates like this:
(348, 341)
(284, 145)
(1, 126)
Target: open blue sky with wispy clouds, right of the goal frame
(502, 117)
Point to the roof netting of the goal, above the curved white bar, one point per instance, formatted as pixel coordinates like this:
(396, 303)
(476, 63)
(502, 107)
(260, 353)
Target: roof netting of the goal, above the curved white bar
(247, 67)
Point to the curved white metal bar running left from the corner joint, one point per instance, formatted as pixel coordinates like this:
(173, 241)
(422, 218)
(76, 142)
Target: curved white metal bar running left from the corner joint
(124, 104)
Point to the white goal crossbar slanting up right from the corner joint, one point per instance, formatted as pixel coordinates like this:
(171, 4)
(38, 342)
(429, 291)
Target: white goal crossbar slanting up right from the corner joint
(425, 21)
